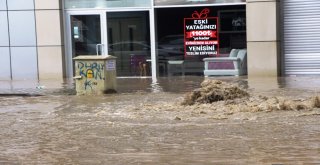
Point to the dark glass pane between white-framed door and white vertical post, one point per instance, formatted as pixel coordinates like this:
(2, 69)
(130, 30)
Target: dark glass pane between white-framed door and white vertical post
(129, 40)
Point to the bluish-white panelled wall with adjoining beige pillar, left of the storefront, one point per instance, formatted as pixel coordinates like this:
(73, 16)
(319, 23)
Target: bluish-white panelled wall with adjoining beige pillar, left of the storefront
(31, 44)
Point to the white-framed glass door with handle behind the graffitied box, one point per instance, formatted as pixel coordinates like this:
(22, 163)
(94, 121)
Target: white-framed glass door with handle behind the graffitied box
(84, 36)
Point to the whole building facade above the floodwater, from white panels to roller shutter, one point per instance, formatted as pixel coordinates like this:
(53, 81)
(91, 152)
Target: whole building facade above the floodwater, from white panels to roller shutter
(39, 39)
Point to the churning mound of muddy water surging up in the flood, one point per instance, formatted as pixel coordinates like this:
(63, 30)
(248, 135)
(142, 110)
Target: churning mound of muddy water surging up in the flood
(233, 99)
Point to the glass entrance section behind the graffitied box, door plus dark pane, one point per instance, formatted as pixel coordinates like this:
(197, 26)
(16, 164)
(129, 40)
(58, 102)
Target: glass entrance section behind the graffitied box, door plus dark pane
(125, 35)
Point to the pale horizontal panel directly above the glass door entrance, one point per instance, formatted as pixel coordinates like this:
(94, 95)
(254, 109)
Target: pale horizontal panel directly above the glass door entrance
(69, 4)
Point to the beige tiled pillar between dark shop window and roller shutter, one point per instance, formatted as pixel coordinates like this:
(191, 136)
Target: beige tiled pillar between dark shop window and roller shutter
(263, 41)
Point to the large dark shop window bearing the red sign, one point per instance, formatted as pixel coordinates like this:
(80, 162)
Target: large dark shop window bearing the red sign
(172, 49)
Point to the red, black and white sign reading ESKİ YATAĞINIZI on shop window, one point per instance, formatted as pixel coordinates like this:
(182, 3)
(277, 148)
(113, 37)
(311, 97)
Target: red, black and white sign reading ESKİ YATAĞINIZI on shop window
(201, 34)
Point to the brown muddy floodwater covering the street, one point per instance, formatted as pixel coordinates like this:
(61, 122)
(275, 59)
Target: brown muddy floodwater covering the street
(145, 123)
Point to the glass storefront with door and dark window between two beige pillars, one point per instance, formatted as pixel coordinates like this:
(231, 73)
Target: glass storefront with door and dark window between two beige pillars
(146, 35)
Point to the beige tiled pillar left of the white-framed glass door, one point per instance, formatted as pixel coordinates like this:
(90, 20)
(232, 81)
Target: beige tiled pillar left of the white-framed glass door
(49, 38)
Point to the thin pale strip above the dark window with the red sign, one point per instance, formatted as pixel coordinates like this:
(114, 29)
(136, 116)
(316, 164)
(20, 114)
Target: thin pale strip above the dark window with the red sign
(192, 2)
